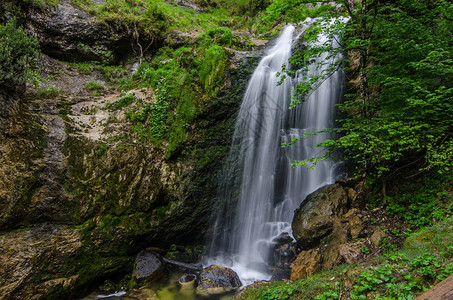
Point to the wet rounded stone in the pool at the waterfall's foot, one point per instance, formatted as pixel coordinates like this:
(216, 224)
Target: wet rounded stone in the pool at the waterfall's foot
(217, 280)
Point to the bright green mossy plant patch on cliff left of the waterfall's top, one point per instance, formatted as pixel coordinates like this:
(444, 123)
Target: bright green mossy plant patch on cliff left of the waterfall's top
(184, 80)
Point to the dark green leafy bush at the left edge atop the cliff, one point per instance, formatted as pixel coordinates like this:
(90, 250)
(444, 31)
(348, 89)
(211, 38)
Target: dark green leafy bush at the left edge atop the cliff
(19, 56)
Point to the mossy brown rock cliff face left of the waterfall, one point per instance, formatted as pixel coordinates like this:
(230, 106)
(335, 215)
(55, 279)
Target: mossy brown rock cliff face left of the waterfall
(81, 192)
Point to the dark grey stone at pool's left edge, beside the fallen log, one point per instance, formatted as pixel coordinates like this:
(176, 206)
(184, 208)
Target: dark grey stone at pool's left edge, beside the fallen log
(148, 266)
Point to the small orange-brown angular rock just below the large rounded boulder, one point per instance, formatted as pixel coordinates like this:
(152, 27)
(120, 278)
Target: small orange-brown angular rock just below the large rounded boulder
(306, 264)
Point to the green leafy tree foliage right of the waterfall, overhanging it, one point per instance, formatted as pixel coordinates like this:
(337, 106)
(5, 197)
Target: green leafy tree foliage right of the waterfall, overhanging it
(402, 112)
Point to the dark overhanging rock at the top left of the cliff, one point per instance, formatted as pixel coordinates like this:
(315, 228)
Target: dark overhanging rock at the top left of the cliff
(68, 33)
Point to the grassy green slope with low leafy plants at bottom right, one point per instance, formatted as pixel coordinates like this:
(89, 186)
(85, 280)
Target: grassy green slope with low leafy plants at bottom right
(425, 260)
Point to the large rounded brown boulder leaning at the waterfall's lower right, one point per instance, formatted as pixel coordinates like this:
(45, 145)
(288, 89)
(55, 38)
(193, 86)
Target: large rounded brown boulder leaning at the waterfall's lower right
(315, 217)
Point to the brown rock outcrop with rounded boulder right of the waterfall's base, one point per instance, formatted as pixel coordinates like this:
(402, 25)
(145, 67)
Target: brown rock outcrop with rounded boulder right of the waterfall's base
(329, 226)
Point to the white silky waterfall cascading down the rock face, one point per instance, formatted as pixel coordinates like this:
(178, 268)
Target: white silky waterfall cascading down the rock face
(260, 189)
